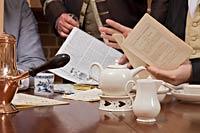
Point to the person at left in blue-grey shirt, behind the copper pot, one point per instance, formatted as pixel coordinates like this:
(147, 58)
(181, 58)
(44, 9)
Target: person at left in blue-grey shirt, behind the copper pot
(20, 22)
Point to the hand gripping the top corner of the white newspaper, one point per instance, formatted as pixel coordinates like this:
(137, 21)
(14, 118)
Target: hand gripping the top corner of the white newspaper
(65, 24)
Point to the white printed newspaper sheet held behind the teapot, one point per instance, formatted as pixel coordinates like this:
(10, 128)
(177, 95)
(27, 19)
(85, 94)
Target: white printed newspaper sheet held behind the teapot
(84, 49)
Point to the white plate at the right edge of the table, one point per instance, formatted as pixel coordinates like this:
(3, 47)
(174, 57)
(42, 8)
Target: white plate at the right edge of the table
(180, 95)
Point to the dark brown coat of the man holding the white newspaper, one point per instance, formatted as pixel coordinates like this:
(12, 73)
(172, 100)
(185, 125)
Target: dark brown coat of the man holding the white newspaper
(126, 12)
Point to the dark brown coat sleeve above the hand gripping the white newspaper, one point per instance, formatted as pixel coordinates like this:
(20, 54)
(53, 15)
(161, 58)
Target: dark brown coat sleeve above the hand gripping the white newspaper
(53, 10)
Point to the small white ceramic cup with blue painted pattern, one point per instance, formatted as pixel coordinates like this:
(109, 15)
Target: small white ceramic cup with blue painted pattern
(43, 84)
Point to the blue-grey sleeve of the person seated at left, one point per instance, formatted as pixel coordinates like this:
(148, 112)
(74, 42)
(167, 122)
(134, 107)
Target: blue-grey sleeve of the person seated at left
(29, 50)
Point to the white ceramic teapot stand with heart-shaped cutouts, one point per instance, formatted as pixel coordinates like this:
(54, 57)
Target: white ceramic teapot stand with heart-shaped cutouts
(115, 103)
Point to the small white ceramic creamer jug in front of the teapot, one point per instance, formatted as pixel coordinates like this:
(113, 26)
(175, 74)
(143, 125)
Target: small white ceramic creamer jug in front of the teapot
(146, 105)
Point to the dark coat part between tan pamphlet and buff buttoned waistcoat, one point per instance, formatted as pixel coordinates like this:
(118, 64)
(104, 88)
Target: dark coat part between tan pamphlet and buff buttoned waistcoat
(172, 14)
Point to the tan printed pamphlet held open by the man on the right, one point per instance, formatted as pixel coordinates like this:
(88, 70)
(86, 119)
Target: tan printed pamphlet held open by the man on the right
(151, 43)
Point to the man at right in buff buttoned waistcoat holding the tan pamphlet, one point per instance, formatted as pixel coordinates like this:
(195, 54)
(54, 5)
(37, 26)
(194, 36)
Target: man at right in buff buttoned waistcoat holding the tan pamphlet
(178, 20)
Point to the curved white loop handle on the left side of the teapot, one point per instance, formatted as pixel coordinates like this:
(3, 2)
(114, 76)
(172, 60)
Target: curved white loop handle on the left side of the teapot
(95, 67)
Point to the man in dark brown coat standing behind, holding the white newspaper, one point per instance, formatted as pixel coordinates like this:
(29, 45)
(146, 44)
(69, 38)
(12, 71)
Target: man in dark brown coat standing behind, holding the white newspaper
(88, 15)
